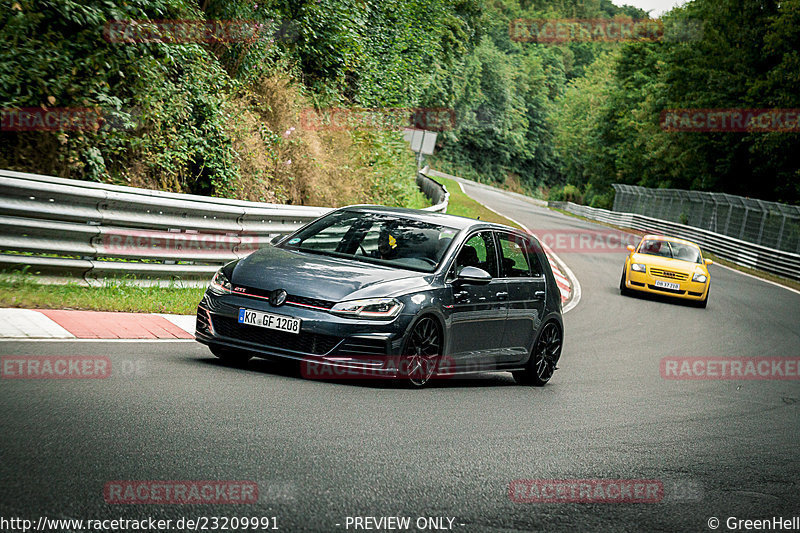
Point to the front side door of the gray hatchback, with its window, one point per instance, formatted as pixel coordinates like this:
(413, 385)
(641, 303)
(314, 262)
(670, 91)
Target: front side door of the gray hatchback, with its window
(478, 311)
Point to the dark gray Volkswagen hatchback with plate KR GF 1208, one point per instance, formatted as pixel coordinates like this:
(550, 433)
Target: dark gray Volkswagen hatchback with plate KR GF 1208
(373, 291)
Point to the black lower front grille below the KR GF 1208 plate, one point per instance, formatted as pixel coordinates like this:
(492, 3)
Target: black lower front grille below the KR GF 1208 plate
(305, 342)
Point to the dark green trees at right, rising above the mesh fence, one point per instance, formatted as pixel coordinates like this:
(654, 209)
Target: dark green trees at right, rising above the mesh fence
(746, 56)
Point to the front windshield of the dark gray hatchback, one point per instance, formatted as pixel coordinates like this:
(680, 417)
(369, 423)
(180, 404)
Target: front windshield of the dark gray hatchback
(381, 238)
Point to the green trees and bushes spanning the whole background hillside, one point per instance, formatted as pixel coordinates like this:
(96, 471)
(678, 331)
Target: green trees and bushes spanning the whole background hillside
(210, 118)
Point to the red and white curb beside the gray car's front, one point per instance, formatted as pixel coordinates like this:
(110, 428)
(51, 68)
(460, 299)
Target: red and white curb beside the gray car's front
(66, 324)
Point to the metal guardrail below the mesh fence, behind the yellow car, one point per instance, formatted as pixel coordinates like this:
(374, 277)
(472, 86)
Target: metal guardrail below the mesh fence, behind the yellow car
(747, 254)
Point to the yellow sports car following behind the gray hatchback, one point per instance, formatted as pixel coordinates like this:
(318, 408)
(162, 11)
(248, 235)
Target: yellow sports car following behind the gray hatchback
(667, 266)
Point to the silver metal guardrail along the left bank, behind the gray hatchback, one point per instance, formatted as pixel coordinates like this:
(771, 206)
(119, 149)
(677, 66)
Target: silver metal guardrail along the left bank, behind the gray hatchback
(90, 231)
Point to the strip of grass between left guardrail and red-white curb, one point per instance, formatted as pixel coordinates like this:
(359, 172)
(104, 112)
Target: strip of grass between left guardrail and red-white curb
(22, 290)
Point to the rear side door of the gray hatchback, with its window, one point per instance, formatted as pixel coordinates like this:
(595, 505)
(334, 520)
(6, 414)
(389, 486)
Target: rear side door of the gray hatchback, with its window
(522, 271)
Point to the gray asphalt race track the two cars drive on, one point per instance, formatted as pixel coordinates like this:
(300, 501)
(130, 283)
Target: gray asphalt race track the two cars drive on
(322, 451)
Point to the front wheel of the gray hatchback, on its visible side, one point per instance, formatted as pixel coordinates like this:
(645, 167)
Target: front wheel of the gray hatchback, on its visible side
(422, 352)
